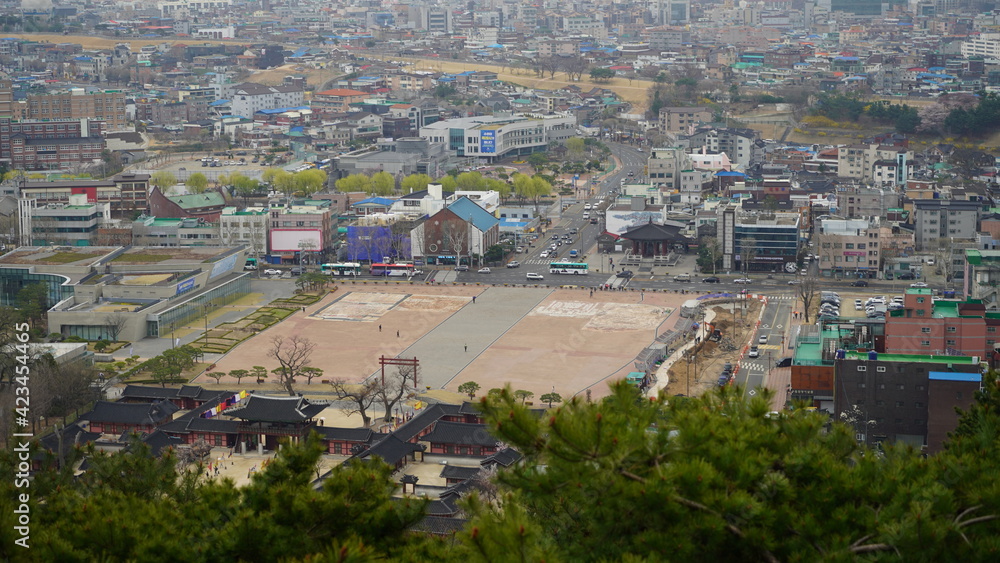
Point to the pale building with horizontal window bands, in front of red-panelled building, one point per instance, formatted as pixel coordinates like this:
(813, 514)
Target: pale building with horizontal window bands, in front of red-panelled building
(74, 223)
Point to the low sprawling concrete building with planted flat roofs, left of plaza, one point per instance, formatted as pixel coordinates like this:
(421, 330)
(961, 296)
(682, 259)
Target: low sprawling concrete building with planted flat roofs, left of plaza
(126, 293)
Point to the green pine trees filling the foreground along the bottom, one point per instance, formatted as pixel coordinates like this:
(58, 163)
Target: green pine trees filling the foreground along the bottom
(719, 477)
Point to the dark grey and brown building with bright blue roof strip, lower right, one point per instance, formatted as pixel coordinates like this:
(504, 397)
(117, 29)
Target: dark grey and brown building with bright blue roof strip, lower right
(907, 398)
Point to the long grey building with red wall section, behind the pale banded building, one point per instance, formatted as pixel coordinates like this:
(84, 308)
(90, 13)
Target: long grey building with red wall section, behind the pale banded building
(125, 193)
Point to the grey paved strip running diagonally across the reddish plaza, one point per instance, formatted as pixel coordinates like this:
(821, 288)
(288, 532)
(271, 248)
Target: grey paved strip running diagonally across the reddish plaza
(452, 345)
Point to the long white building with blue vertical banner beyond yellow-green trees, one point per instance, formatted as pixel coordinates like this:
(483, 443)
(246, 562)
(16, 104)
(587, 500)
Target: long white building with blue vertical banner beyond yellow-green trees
(492, 138)
